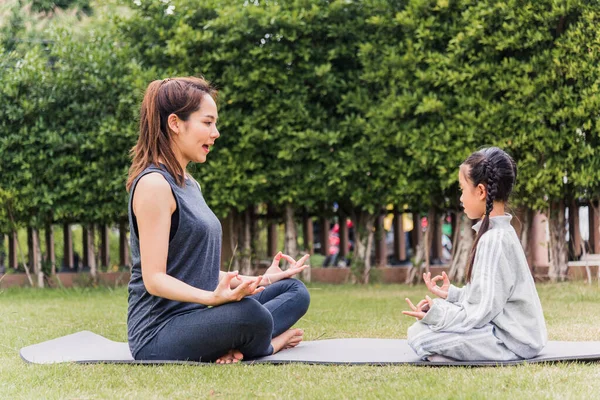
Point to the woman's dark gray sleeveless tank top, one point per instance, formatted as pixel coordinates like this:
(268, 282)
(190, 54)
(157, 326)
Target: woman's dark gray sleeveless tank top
(194, 257)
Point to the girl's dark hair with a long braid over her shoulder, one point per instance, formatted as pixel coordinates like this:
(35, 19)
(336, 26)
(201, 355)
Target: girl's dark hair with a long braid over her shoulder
(495, 169)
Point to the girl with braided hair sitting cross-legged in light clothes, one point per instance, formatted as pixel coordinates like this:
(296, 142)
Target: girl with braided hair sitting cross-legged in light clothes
(497, 316)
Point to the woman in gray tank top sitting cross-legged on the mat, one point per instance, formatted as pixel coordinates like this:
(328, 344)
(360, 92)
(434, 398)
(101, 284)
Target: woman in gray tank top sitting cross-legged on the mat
(181, 306)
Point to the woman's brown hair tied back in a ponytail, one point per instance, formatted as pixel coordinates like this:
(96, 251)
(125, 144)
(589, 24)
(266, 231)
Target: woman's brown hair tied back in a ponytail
(179, 96)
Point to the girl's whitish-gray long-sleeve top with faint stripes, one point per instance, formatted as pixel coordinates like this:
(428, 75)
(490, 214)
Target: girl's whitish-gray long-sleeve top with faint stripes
(501, 292)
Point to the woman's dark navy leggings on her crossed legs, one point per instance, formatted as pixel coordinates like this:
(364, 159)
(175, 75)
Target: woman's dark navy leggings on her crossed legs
(247, 326)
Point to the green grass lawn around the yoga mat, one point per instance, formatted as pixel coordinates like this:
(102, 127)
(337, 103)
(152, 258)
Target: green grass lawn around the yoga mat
(29, 316)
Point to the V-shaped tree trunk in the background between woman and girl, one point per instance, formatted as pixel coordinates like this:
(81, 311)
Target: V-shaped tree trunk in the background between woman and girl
(363, 242)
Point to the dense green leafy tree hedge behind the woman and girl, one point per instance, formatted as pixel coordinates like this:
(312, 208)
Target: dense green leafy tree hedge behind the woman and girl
(363, 103)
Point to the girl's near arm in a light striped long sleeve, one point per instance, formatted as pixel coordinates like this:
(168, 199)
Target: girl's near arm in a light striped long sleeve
(484, 298)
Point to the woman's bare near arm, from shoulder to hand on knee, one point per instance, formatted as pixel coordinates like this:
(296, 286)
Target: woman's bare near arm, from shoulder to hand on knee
(153, 204)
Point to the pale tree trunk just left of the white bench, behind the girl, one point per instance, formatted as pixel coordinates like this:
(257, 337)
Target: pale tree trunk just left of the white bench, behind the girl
(558, 245)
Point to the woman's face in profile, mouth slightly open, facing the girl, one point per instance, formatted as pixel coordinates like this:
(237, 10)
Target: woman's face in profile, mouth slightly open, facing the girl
(195, 136)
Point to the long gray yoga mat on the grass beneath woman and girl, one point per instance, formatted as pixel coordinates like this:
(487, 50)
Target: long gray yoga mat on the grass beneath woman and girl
(88, 347)
